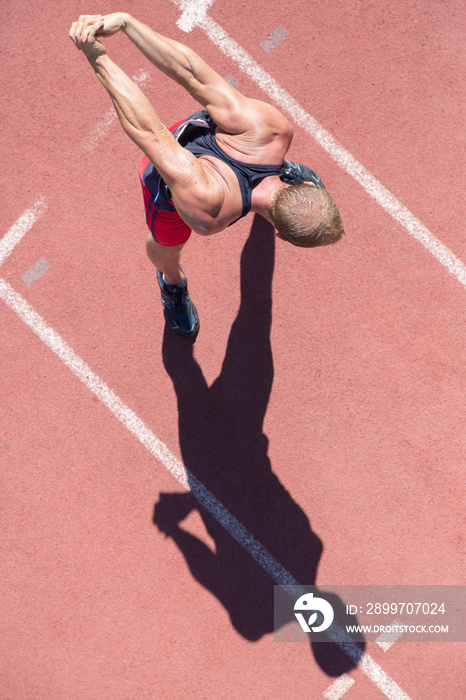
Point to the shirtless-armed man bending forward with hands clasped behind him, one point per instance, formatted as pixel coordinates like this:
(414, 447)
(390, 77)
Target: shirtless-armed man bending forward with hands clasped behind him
(211, 169)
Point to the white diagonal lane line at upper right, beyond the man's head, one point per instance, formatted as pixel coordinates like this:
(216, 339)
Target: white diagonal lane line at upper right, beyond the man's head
(345, 160)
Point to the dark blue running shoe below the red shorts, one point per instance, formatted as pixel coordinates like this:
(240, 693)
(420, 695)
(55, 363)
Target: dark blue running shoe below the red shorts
(178, 309)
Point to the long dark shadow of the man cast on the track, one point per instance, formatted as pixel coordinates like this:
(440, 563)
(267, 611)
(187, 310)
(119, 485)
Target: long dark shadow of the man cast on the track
(226, 451)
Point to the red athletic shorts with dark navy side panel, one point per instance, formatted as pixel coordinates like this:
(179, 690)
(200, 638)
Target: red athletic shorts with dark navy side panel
(164, 222)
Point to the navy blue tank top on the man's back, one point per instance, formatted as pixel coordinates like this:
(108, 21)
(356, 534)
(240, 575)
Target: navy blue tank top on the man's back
(197, 135)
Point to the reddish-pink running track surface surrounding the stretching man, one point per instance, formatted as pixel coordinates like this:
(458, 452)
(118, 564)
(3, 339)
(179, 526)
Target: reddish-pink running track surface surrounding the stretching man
(321, 406)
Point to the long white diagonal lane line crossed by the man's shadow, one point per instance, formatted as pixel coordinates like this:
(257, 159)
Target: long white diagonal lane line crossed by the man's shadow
(159, 450)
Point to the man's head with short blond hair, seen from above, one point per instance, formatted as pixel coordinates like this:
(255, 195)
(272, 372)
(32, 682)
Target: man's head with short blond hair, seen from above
(306, 216)
